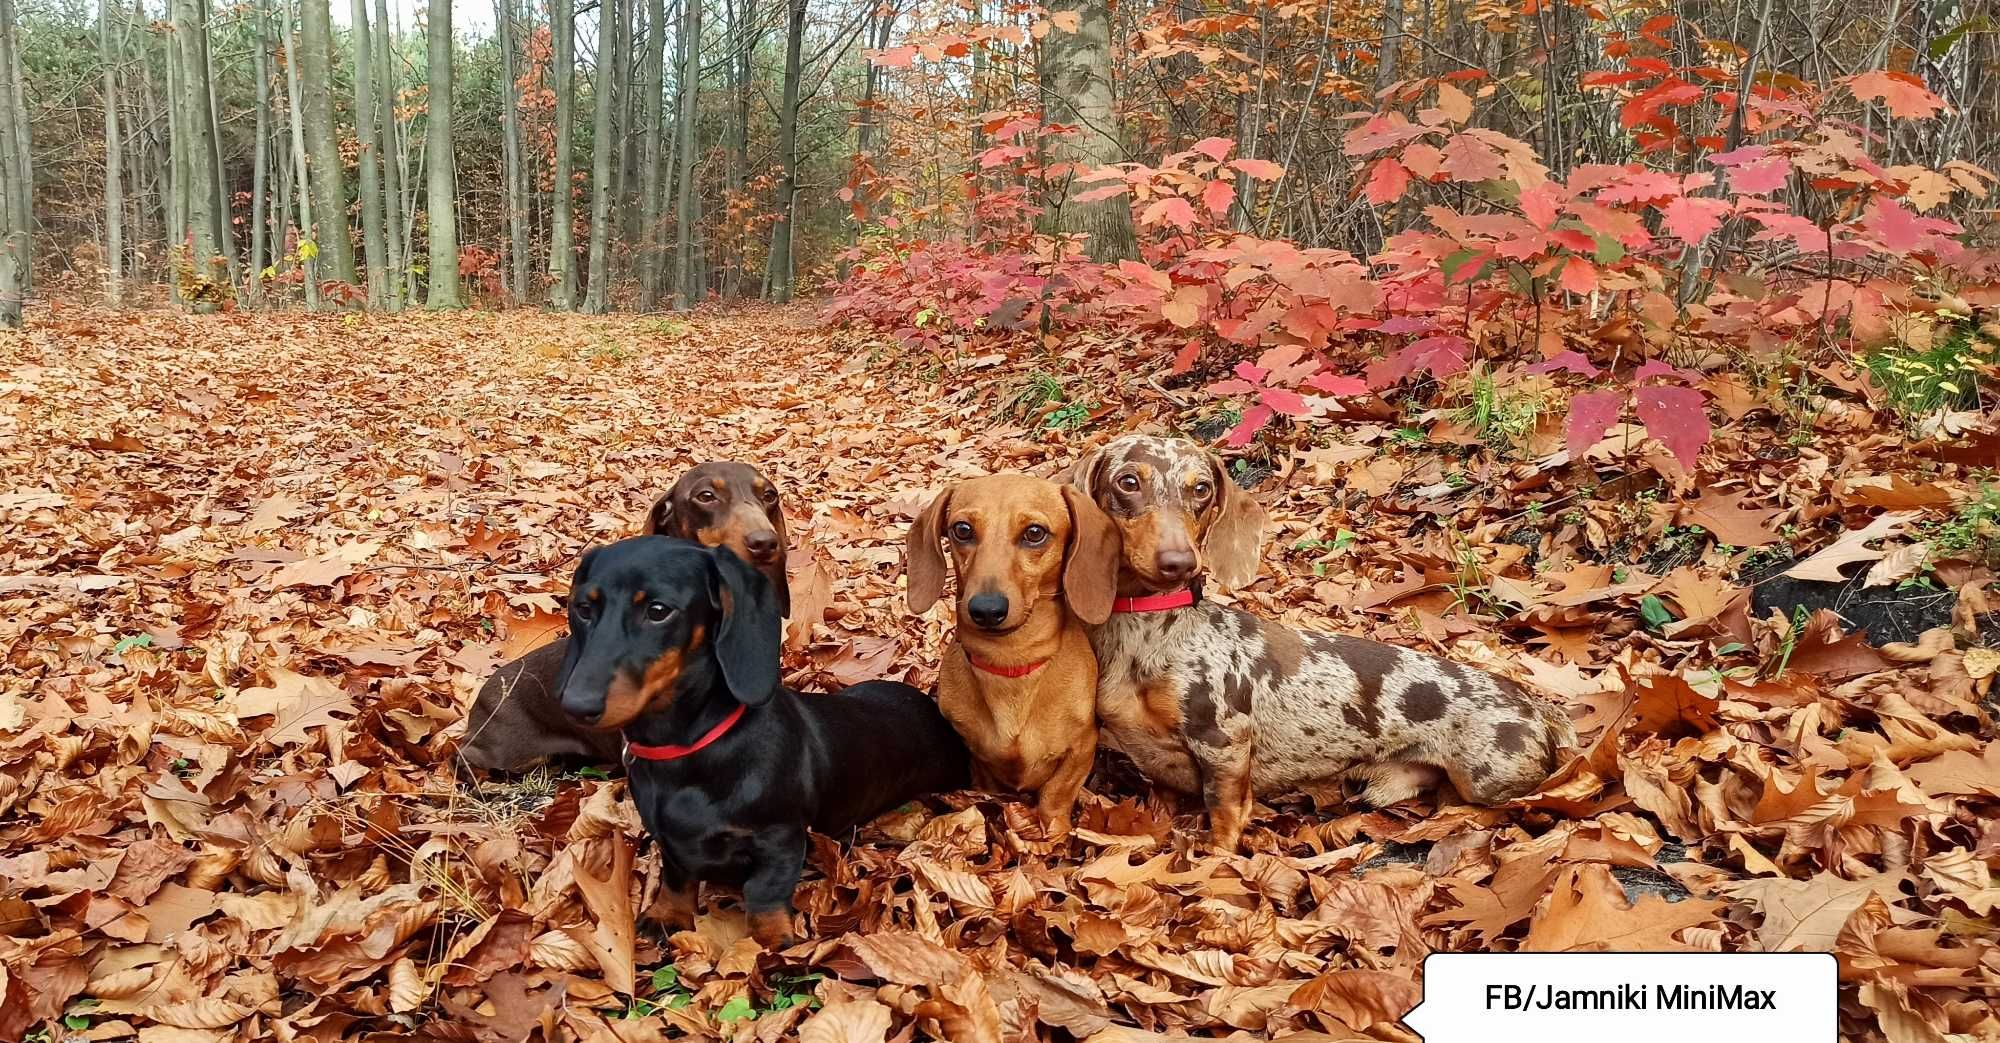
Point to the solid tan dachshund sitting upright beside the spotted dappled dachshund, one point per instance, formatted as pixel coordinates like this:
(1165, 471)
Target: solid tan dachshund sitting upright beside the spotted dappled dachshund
(1035, 562)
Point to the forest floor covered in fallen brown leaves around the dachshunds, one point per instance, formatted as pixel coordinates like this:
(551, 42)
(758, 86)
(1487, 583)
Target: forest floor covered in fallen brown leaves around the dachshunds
(255, 566)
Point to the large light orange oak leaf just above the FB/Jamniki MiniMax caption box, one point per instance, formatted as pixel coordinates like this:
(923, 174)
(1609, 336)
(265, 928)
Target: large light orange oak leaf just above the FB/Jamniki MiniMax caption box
(1589, 914)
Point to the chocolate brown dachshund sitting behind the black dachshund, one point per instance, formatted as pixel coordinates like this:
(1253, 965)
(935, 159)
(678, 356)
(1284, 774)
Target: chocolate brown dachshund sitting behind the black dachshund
(515, 722)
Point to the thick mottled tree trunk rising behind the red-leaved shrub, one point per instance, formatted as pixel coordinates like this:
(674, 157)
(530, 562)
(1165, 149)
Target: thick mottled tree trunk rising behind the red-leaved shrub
(1077, 89)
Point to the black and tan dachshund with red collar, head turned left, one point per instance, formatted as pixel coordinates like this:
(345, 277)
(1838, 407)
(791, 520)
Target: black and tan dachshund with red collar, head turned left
(675, 646)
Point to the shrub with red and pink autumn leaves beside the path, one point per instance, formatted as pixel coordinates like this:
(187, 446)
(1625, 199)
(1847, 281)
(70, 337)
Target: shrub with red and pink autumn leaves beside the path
(1769, 229)
